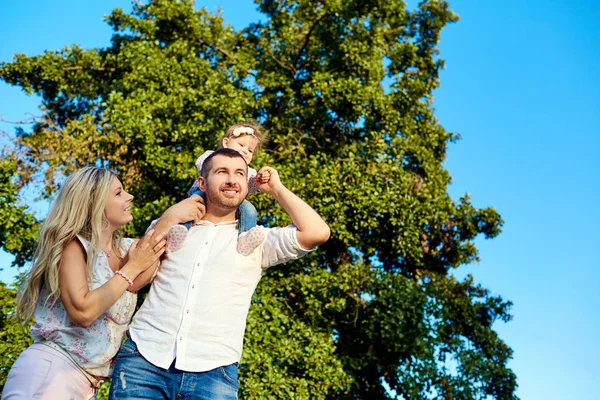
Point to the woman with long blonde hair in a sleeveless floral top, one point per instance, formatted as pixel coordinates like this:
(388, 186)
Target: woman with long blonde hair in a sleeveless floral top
(81, 289)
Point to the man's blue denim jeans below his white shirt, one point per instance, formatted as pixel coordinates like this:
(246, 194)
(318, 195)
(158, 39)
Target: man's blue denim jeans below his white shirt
(136, 378)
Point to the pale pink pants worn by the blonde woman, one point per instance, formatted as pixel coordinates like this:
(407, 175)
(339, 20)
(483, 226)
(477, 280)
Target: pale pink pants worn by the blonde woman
(43, 373)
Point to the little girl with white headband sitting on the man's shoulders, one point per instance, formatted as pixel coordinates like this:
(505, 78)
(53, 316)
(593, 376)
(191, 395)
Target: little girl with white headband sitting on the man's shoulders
(246, 139)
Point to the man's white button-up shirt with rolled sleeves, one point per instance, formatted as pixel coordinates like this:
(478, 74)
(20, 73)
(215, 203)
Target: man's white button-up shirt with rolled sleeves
(195, 312)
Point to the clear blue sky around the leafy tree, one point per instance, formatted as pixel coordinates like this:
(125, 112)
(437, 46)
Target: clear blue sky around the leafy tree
(520, 88)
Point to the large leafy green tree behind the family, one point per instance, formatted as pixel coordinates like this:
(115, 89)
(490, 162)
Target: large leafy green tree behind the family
(344, 89)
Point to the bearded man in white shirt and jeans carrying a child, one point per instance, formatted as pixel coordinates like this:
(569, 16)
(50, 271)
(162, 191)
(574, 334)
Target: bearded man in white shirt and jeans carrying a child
(186, 340)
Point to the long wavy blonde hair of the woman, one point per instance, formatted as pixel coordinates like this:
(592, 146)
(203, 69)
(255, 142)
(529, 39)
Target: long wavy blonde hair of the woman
(77, 210)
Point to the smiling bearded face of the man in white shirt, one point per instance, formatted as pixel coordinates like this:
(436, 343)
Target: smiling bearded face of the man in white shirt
(226, 183)
